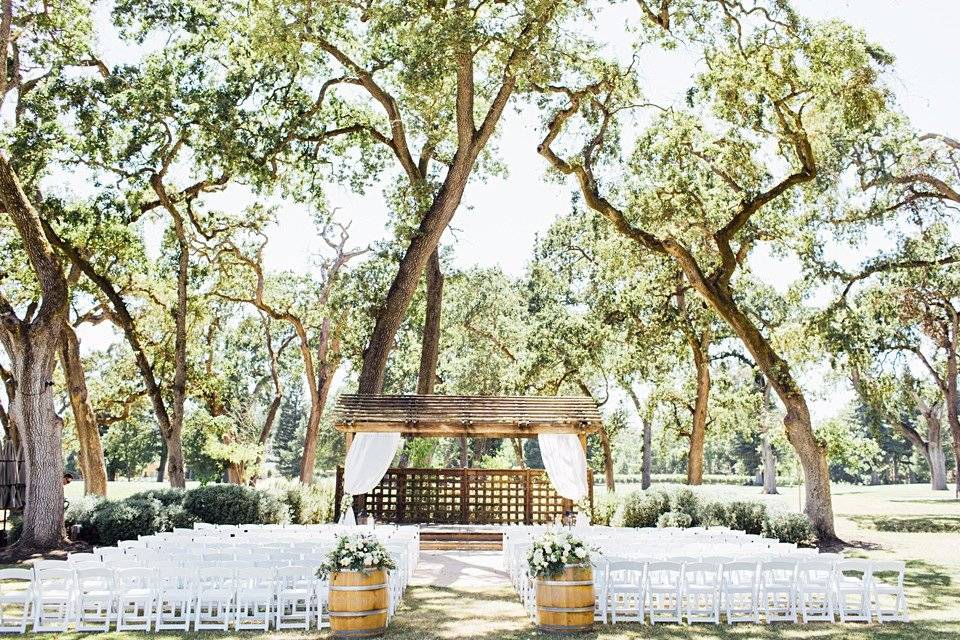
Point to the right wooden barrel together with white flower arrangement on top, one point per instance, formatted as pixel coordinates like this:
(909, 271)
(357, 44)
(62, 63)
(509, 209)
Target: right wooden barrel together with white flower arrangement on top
(560, 563)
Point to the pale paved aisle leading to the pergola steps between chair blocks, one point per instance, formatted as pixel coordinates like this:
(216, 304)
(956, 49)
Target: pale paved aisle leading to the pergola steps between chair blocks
(469, 570)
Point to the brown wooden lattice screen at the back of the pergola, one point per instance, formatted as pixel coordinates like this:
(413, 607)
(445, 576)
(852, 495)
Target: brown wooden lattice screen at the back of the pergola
(463, 496)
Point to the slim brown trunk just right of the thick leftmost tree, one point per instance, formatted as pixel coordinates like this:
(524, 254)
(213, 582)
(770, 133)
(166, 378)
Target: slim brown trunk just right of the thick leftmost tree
(91, 449)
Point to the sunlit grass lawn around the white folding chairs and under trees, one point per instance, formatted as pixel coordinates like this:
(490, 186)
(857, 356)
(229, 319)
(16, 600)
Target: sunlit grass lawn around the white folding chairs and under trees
(933, 581)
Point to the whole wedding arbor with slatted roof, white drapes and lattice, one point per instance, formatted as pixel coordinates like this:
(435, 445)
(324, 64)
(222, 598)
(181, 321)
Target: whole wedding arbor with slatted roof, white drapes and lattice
(374, 425)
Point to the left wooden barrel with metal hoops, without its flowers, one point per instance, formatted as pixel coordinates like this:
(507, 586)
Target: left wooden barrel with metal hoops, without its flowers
(358, 604)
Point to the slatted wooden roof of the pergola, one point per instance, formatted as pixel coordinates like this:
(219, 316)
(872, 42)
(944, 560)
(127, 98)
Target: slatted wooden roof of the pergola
(469, 416)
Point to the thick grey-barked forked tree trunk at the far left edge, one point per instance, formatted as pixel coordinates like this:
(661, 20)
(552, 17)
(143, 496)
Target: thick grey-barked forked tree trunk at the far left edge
(32, 345)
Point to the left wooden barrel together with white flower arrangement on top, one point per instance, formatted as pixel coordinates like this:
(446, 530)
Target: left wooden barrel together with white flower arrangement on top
(358, 570)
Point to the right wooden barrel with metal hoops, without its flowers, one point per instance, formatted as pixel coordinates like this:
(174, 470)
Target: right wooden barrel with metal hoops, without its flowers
(565, 602)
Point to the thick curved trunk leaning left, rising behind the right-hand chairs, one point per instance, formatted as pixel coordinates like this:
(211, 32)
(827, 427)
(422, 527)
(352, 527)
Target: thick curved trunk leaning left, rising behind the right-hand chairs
(797, 422)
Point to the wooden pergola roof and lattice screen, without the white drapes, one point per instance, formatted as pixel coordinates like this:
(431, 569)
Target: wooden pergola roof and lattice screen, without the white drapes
(465, 496)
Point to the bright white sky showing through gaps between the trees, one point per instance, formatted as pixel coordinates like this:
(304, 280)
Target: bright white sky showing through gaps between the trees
(500, 218)
